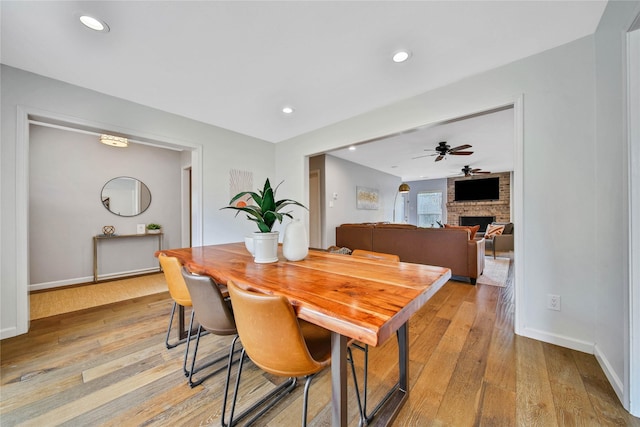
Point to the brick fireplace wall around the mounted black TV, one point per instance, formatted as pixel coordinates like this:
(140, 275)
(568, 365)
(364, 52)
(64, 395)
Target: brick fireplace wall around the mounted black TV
(498, 209)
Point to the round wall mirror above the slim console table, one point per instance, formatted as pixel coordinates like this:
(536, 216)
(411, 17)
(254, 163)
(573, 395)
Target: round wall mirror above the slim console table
(125, 196)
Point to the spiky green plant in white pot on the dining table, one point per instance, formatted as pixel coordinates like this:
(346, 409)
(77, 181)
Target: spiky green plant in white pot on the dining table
(263, 209)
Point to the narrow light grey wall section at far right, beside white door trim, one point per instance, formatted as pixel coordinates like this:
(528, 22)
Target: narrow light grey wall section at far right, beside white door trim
(611, 231)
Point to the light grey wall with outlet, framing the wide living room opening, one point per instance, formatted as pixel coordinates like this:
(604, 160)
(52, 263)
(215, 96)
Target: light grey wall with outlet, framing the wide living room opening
(558, 254)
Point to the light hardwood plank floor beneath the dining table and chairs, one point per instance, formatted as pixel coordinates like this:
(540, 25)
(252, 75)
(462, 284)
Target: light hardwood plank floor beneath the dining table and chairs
(108, 366)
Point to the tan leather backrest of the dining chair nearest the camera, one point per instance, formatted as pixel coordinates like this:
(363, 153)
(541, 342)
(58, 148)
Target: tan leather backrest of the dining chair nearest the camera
(270, 333)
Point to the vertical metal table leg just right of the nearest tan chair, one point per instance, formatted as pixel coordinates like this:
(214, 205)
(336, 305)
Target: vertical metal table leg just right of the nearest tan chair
(338, 379)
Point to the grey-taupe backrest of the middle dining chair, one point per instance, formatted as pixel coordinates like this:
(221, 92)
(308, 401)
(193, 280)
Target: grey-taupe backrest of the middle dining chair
(212, 311)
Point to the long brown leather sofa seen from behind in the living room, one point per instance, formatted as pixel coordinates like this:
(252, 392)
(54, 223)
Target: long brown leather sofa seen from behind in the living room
(449, 248)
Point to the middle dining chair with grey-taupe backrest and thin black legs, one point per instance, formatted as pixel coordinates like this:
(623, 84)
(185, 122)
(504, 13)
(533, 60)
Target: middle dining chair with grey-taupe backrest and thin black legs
(212, 313)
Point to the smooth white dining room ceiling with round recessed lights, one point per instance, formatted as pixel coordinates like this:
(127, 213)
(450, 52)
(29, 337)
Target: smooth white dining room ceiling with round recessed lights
(235, 64)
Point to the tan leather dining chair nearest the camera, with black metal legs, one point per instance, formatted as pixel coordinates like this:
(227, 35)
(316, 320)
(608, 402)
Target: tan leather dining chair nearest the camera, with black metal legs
(278, 343)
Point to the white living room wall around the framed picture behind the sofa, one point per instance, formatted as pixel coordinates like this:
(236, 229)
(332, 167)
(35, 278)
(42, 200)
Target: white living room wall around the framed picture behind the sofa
(342, 177)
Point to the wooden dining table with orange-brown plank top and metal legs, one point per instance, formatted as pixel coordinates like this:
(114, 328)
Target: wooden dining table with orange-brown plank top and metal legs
(354, 298)
